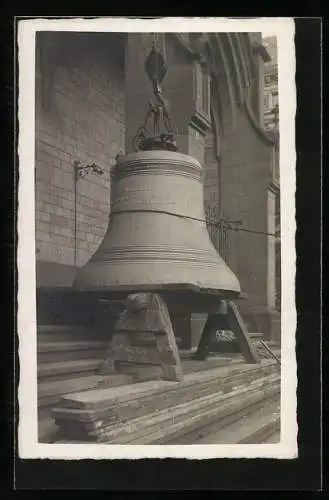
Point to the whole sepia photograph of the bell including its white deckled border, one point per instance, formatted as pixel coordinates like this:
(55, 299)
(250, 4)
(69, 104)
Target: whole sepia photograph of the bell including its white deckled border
(158, 182)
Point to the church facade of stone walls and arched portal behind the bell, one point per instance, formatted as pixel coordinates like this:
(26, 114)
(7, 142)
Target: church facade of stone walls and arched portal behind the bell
(92, 95)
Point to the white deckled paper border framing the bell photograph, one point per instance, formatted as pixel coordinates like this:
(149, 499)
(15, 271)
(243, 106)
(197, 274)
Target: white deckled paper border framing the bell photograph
(28, 446)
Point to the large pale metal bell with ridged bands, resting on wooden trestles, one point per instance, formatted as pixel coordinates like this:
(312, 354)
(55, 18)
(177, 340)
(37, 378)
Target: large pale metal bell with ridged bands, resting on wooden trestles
(157, 238)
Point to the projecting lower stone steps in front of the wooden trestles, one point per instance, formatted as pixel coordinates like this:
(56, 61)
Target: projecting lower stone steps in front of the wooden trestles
(160, 412)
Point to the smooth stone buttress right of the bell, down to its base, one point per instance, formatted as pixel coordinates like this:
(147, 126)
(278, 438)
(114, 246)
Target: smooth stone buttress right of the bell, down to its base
(246, 173)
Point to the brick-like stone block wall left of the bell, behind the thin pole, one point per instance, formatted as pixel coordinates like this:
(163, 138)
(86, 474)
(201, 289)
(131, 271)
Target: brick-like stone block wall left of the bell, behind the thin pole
(85, 122)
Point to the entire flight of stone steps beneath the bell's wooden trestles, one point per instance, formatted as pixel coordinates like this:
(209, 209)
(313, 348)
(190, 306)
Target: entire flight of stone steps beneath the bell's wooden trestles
(215, 395)
